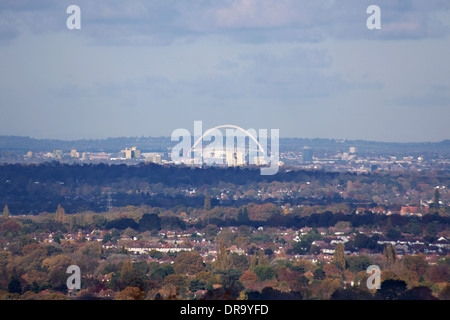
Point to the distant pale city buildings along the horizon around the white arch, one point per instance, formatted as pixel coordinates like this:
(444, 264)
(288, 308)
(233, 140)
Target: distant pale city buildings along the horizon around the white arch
(306, 157)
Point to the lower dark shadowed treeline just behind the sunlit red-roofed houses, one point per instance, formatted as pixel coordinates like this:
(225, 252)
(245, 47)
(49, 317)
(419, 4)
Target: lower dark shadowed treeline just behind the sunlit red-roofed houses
(395, 225)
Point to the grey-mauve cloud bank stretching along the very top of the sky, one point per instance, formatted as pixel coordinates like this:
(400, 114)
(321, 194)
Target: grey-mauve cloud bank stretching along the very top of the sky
(161, 22)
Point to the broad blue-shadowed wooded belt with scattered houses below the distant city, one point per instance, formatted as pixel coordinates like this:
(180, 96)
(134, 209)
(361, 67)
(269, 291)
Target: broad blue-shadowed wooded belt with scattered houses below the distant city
(32, 189)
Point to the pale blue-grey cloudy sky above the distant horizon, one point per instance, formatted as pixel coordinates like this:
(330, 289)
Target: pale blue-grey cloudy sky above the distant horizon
(311, 69)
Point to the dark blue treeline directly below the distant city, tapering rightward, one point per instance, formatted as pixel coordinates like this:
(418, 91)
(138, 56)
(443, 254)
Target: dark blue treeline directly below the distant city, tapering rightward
(173, 176)
